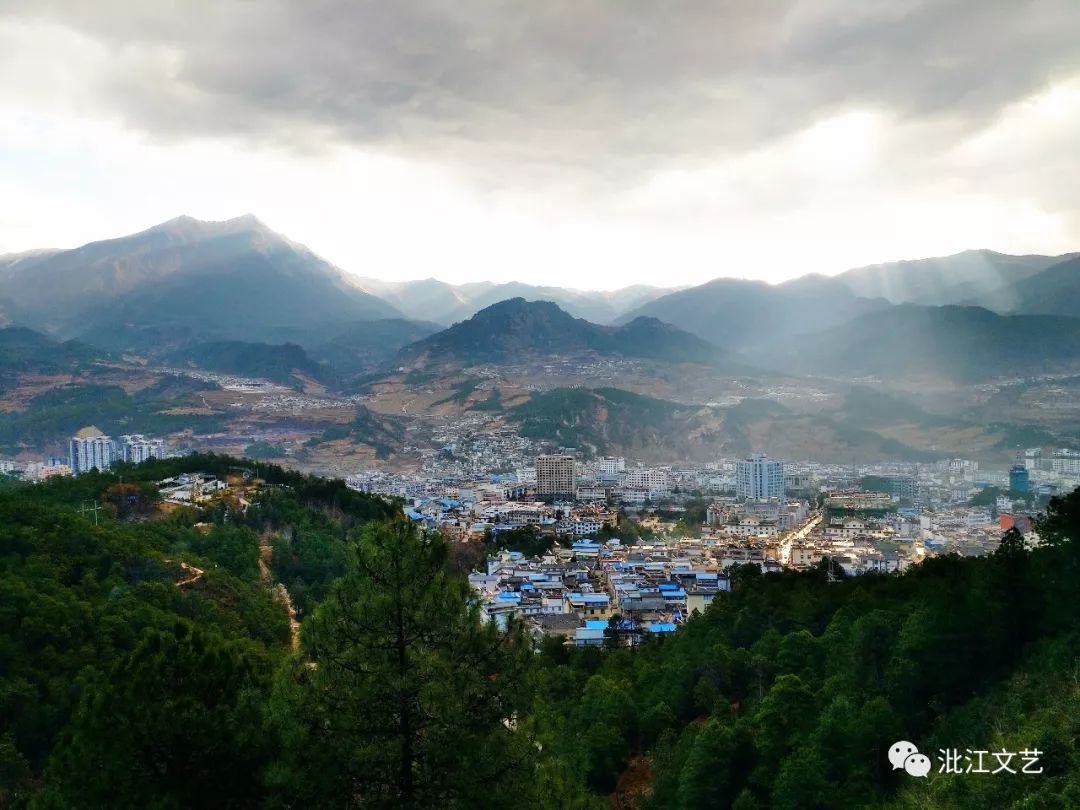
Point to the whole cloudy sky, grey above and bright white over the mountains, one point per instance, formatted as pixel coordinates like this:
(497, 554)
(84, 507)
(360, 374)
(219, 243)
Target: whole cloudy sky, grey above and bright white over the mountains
(580, 143)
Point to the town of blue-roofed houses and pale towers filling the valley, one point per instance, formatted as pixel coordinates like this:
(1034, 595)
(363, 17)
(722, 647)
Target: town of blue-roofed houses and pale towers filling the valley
(605, 550)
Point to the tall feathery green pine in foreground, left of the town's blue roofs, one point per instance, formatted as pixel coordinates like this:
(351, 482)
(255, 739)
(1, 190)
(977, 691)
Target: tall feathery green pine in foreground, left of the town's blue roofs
(411, 698)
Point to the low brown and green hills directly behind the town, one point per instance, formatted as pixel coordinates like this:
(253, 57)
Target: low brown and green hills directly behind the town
(862, 426)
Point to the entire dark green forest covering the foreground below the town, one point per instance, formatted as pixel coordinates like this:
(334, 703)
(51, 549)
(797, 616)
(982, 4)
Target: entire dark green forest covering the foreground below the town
(147, 660)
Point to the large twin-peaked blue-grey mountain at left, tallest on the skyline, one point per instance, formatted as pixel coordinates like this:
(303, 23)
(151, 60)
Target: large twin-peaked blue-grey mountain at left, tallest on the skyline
(186, 279)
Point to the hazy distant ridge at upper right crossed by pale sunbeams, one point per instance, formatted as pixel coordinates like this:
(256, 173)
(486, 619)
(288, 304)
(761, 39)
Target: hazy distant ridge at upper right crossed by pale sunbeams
(965, 277)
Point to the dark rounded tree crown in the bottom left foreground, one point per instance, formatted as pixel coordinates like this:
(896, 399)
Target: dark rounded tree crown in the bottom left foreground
(177, 724)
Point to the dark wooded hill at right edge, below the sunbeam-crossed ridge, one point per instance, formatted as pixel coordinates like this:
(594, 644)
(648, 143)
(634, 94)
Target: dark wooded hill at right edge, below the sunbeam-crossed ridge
(962, 344)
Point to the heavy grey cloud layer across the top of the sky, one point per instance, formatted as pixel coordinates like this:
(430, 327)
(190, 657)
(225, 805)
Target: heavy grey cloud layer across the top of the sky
(610, 88)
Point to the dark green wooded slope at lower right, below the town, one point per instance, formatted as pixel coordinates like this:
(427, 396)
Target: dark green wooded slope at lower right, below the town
(789, 691)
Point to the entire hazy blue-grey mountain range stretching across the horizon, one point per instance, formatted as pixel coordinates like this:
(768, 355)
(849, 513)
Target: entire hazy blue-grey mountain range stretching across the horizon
(188, 281)
